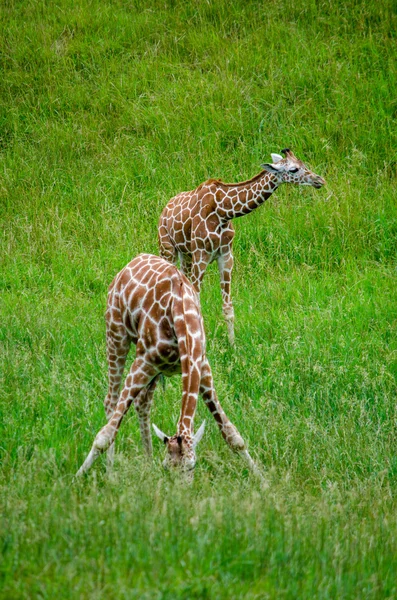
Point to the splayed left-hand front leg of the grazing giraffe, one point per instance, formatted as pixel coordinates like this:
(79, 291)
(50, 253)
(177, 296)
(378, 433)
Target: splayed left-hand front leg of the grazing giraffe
(139, 377)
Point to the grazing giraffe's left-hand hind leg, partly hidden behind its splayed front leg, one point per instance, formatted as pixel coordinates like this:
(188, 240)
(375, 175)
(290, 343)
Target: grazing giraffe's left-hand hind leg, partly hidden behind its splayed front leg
(117, 347)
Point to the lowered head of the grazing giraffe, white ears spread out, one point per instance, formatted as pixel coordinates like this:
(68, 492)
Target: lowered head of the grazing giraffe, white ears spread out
(180, 449)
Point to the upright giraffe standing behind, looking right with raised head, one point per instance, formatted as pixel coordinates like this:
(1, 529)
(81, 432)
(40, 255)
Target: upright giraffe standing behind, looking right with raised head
(196, 226)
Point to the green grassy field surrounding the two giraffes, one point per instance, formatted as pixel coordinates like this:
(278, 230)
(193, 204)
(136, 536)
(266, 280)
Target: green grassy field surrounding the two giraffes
(109, 108)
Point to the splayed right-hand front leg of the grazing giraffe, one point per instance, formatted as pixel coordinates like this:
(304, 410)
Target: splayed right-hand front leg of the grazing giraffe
(229, 431)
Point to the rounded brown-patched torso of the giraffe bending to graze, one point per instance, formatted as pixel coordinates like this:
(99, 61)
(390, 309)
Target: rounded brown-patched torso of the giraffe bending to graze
(157, 307)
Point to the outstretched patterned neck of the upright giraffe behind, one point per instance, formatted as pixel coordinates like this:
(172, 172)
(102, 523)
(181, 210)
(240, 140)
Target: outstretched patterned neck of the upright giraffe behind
(238, 199)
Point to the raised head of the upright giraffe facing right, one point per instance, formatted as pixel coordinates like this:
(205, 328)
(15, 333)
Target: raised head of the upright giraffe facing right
(292, 170)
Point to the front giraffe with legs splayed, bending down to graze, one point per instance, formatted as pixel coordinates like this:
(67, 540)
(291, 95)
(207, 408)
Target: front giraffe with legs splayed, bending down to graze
(153, 305)
